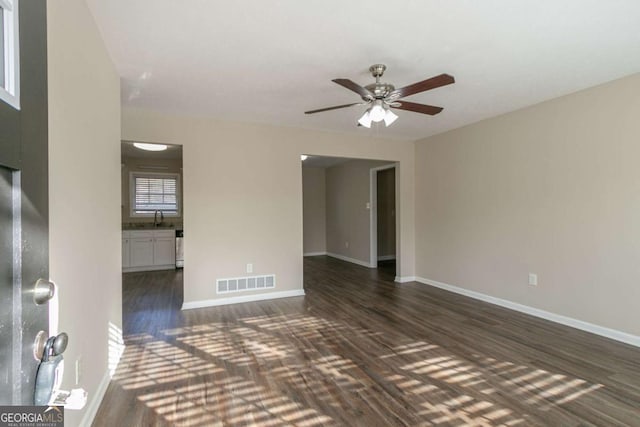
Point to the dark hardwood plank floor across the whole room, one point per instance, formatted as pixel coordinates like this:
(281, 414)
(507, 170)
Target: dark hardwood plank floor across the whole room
(360, 350)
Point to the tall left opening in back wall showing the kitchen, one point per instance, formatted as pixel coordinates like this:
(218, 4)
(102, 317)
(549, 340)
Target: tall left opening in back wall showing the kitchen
(152, 228)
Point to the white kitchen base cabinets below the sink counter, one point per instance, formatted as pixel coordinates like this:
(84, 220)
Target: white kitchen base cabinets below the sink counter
(149, 250)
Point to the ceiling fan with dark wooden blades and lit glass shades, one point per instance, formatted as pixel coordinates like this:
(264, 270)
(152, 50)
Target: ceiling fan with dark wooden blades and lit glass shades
(383, 96)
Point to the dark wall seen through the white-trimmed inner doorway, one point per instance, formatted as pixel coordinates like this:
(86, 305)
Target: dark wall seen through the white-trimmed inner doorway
(386, 212)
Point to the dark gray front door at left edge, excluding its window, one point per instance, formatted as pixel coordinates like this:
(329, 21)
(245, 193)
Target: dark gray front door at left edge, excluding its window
(24, 244)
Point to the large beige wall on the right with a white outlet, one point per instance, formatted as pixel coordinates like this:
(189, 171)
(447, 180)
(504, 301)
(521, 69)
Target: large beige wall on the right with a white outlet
(553, 189)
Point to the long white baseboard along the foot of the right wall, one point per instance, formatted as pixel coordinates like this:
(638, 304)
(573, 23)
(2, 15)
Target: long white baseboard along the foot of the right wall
(613, 334)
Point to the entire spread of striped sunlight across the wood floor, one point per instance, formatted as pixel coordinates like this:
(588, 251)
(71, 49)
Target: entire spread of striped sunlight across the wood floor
(218, 371)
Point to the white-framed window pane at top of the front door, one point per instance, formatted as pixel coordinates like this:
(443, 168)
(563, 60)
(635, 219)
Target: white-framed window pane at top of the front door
(9, 58)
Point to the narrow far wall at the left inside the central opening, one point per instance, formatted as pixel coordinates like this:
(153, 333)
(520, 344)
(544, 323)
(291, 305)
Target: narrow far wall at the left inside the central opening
(314, 210)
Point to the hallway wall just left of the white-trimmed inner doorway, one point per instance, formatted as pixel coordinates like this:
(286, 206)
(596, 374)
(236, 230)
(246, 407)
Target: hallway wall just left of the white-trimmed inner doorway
(348, 218)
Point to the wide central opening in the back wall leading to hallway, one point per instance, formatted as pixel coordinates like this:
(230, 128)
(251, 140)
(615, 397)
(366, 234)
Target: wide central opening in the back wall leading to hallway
(339, 218)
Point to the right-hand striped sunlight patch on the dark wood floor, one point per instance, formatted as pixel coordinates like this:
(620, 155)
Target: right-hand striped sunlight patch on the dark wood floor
(429, 367)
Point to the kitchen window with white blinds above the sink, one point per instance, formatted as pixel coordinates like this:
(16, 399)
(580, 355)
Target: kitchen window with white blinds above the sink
(151, 192)
